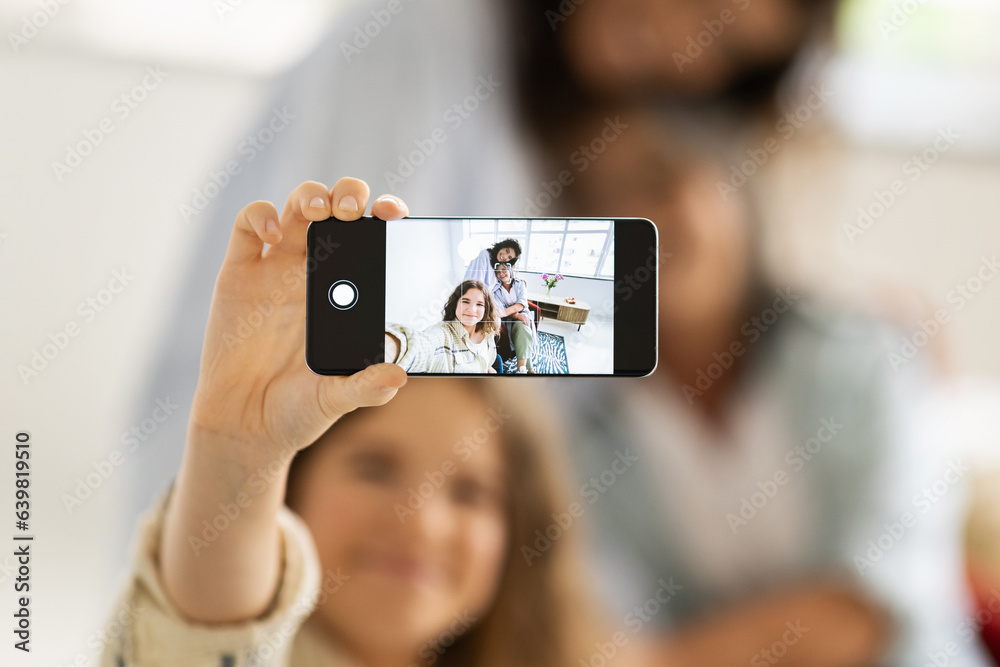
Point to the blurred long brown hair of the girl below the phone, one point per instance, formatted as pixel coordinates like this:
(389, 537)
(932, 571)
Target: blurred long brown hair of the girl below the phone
(543, 613)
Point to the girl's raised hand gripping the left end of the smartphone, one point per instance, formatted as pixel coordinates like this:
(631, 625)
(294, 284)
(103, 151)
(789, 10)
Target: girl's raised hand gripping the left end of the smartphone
(253, 387)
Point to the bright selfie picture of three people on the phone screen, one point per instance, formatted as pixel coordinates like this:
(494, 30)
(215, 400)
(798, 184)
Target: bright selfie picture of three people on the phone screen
(500, 296)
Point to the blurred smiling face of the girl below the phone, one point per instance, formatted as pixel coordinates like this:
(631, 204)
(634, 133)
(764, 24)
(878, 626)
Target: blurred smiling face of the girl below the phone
(412, 512)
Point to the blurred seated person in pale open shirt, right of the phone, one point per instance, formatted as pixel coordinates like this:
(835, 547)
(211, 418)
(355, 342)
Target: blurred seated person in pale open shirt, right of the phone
(789, 477)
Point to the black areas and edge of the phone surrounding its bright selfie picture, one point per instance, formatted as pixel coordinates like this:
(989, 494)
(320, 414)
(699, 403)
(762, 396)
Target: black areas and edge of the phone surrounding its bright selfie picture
(361, 328)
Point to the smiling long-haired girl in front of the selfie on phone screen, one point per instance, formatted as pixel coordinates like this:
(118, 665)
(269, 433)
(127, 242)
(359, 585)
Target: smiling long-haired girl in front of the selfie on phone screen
(463, 342)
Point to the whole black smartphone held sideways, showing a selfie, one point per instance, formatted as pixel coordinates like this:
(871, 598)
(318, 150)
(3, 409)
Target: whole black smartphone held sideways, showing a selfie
(483, 296)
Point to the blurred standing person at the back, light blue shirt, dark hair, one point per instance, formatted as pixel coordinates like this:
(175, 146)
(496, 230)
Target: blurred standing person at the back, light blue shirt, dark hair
(442, 108)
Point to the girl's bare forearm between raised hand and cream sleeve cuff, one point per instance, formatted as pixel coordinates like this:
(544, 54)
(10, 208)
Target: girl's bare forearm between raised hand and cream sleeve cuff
(221, 549)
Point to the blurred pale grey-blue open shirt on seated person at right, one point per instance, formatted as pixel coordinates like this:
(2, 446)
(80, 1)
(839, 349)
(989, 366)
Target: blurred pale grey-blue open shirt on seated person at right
(824, 364)
